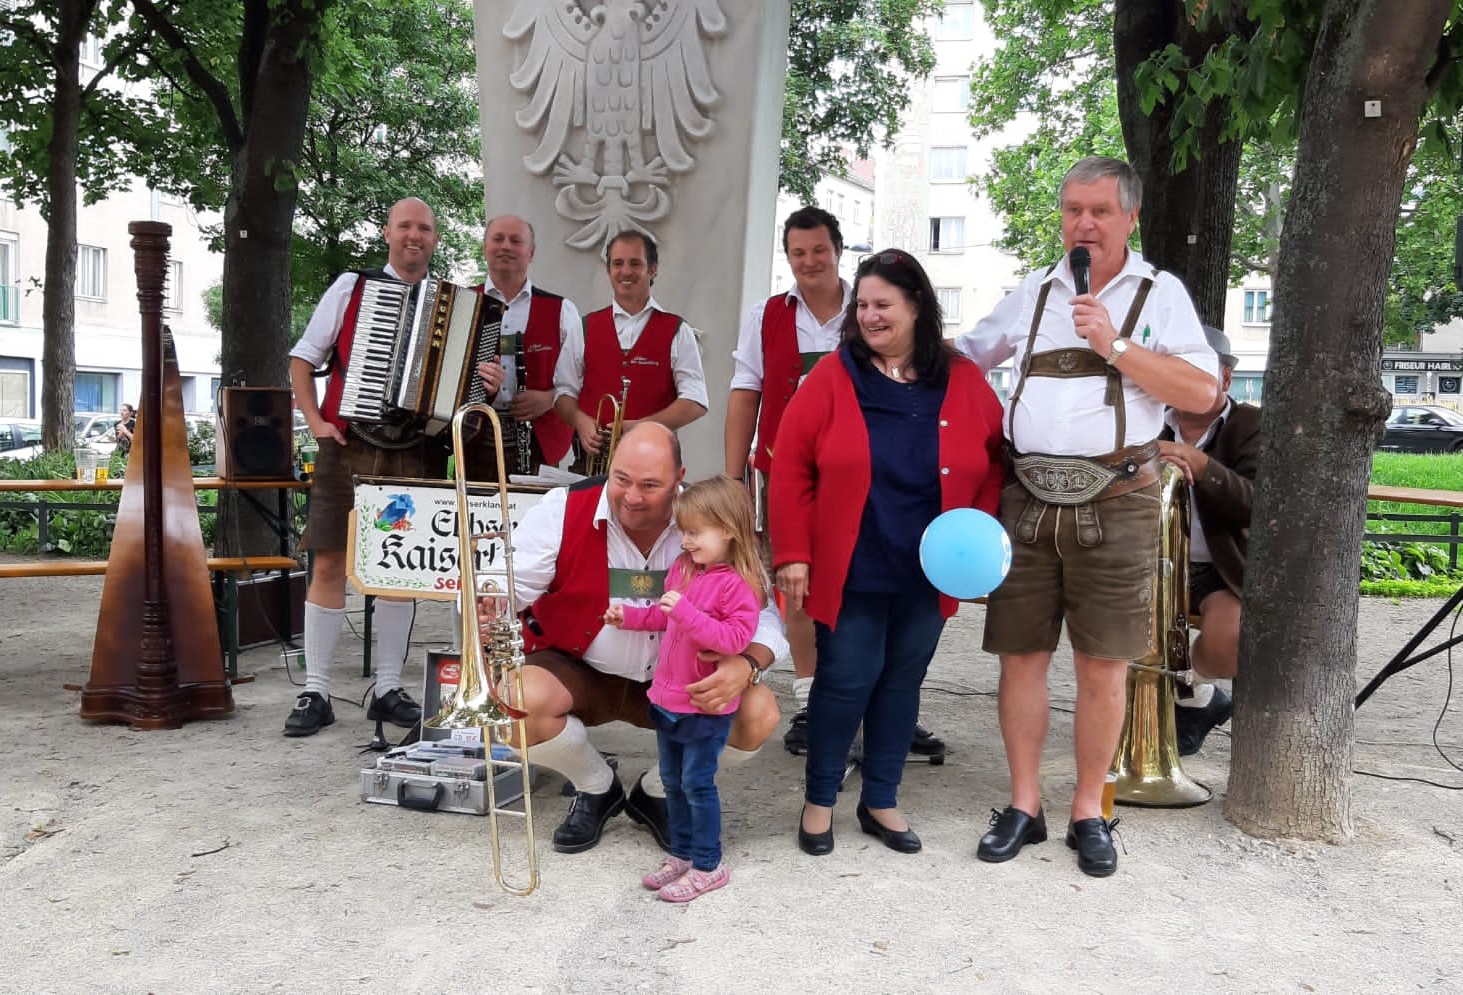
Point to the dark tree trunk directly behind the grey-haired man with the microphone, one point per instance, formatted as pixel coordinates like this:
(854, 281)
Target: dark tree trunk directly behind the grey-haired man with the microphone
(1187, 220)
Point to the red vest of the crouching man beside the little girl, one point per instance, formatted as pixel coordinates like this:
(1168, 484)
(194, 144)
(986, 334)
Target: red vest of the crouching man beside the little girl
(570, 615)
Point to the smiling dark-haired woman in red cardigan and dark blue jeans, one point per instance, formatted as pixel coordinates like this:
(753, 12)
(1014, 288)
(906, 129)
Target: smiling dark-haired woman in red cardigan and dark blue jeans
(884, 435)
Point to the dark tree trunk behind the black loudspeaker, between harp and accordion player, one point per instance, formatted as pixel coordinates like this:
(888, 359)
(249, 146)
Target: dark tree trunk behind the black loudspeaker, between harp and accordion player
(258, 222)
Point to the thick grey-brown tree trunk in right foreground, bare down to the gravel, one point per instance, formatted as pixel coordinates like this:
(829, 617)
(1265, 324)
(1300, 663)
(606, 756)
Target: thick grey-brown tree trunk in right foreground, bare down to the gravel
(1294, 718)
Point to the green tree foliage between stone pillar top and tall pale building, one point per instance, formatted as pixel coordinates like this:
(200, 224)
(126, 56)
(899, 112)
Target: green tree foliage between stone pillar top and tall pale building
(849, 65)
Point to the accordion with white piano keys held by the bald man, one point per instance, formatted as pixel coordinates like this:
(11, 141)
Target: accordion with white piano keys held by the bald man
(413, 361)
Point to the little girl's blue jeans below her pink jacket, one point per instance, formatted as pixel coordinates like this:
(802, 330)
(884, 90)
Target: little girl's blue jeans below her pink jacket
(688, 769)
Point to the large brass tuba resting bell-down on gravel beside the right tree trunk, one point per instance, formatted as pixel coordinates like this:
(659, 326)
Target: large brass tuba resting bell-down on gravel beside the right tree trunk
(1148, 763)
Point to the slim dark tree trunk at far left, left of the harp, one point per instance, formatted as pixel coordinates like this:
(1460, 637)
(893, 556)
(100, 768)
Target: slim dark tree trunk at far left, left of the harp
(59, 296)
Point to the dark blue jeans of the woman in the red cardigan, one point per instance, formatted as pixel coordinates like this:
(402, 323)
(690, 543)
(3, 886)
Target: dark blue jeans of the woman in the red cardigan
(870, 671)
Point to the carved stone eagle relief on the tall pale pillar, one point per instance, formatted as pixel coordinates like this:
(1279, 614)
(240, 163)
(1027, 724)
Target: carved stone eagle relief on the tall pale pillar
(631, 80)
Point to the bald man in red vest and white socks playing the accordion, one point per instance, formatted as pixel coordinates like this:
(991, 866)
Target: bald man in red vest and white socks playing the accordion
(412, 239)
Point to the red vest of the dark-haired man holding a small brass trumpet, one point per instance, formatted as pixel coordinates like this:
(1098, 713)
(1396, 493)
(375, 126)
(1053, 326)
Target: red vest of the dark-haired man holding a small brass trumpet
(647, 365)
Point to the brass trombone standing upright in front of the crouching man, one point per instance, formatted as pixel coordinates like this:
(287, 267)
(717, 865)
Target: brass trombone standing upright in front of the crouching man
(491, 693)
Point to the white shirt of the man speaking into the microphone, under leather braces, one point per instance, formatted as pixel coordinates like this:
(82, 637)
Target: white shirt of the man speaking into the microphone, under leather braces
(1069, 416)
